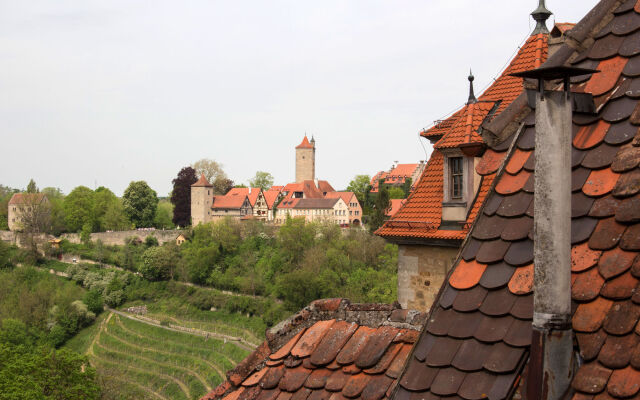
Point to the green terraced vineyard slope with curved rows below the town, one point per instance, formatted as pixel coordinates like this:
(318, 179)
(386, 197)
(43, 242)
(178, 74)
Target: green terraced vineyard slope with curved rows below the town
(140, 360)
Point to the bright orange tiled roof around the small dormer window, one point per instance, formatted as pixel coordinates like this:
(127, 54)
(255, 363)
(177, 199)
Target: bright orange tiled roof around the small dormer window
(420, 217)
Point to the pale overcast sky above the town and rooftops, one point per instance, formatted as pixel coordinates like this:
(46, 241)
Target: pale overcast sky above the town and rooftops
(107, 92)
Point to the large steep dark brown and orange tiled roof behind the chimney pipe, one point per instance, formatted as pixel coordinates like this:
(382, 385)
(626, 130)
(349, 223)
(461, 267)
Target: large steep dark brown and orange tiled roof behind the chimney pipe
(477, 339)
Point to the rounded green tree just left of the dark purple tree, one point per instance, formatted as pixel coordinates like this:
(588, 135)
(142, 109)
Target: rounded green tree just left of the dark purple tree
(140, 204)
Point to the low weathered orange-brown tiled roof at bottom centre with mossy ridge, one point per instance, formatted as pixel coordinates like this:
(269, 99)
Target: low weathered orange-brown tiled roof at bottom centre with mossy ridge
(331, 349)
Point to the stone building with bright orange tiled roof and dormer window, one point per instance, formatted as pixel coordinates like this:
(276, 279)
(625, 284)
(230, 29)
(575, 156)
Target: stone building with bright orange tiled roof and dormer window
(431, 225)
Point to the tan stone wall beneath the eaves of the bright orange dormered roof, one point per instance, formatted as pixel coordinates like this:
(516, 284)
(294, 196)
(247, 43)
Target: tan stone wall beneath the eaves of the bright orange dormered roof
(421, 271)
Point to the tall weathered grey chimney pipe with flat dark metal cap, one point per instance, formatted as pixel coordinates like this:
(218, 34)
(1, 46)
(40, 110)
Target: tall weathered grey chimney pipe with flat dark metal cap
(551, 362)
